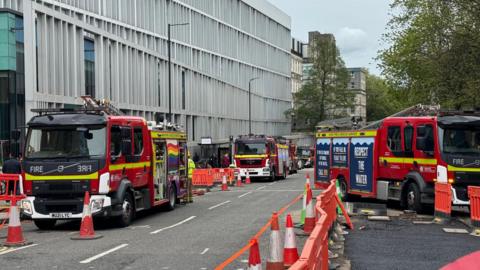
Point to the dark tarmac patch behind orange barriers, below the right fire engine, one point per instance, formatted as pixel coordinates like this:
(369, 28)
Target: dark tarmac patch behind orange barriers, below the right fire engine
(406, 242)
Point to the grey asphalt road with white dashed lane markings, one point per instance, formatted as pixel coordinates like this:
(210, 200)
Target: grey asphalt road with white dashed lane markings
(194, 236)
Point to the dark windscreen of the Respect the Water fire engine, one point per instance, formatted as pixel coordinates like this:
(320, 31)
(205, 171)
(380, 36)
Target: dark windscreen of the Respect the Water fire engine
(460, 141)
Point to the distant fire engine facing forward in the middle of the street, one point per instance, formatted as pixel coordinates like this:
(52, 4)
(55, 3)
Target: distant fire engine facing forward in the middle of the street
(262, 156)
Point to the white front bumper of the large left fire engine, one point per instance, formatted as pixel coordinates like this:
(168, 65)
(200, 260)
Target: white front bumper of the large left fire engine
(100, 205)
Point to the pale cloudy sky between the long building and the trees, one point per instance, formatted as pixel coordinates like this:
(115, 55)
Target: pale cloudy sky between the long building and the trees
(358, 25)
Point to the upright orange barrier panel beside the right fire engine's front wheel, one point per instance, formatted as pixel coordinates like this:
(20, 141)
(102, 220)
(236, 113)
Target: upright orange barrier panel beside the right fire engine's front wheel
(443, 202)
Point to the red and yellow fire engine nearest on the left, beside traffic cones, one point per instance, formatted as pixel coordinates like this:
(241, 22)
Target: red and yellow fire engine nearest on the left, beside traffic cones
(126, 164)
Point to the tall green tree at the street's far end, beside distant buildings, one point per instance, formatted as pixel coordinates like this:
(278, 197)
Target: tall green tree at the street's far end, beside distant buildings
(324, 94)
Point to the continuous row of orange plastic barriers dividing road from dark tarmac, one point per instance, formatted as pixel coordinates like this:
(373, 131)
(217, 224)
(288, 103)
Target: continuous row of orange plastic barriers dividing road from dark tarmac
(315, 251)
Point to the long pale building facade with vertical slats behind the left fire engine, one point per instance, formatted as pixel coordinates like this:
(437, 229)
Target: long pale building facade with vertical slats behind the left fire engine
(53, 51)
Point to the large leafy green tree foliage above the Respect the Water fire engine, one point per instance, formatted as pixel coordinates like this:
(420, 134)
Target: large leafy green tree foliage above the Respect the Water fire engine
(434, 55)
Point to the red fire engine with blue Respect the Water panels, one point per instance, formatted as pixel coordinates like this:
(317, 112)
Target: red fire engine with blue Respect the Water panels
(403, 158)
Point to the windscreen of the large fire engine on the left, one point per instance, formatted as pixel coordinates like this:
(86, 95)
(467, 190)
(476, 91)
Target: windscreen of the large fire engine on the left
(66, 142)
